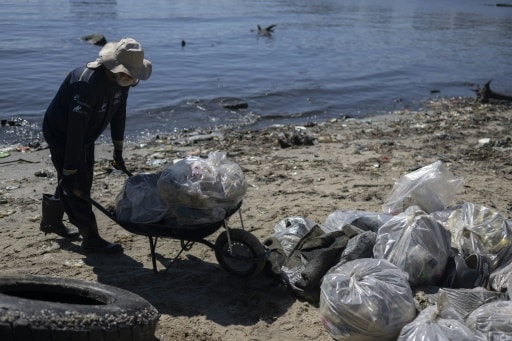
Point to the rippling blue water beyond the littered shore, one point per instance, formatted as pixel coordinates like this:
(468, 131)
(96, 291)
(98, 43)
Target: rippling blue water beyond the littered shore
(325, 59)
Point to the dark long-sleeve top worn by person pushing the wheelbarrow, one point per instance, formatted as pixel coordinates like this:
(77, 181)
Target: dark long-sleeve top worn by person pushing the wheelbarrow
(86, 103)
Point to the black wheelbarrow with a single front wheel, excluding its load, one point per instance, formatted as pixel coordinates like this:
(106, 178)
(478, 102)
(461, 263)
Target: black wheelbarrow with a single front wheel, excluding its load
(237, 251)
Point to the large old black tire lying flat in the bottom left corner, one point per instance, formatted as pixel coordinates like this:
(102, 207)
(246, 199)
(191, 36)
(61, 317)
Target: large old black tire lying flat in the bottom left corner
(39, 308)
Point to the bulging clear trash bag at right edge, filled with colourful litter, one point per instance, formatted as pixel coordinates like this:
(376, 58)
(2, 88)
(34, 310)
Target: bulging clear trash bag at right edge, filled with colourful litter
(476, 229)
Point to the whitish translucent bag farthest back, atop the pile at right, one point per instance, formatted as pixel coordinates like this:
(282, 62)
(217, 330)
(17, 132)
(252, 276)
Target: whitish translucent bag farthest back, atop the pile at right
(432, 188)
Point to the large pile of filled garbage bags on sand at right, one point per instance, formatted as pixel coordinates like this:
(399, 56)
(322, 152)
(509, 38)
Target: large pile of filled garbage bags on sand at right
(421, 269)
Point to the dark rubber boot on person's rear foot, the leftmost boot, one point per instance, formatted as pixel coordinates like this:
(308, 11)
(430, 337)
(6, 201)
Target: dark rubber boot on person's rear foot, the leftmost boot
(51, 221)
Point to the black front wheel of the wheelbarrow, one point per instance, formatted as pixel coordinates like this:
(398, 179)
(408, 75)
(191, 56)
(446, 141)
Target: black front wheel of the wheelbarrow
(245, 258)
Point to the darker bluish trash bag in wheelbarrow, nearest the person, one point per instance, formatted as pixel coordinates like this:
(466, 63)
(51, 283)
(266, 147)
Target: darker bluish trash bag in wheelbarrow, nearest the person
(139, 201)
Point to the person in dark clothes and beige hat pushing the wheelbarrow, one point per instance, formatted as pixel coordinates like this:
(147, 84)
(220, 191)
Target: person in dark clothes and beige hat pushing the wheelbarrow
(90, 98)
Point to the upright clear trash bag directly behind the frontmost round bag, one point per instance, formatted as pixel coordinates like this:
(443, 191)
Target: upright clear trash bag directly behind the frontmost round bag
(416, 243)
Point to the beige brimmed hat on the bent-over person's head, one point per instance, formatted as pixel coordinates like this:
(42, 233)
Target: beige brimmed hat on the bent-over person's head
(125, 56)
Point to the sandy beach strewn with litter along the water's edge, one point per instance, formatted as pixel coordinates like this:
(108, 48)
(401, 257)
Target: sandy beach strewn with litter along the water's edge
(351, 164)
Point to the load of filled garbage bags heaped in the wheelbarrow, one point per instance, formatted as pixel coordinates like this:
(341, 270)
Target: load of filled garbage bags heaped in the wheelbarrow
(192, 191)
